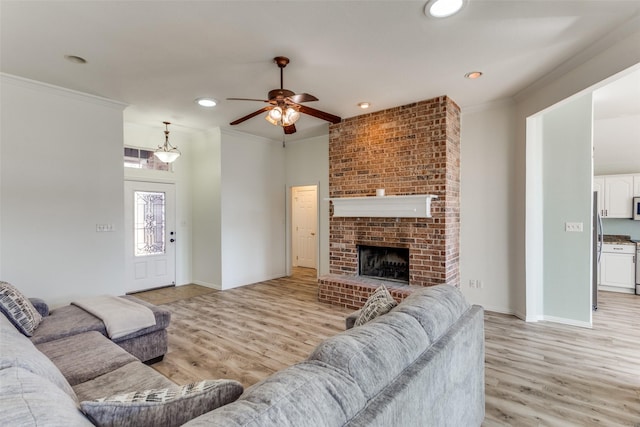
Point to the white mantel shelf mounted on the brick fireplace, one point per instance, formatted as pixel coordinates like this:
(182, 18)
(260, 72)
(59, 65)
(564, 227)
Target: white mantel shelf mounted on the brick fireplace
(412, 206)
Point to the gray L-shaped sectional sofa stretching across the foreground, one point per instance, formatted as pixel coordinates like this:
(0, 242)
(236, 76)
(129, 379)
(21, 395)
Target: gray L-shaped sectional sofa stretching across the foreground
(421, 364)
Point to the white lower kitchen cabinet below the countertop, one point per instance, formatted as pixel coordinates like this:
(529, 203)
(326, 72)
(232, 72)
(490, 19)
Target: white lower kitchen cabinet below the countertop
(618, 268)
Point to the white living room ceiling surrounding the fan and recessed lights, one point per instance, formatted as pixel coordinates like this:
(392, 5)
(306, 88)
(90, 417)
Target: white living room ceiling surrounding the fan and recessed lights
(158, 56)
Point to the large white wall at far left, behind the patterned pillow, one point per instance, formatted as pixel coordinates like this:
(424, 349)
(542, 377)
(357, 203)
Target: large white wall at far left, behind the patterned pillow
(61, 174)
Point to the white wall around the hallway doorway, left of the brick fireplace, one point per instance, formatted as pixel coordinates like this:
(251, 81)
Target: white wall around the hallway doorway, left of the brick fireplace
(307, 163)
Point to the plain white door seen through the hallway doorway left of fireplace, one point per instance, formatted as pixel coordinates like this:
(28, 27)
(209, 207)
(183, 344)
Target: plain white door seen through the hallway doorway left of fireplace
(305, 226)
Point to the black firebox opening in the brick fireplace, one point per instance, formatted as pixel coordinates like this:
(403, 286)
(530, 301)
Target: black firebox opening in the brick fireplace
(384, 263)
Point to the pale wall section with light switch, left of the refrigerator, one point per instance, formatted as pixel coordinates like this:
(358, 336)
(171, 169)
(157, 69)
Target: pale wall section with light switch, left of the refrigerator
(567, 197)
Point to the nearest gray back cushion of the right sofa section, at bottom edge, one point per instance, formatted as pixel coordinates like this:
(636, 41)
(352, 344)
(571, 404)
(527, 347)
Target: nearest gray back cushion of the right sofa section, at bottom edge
(306, 394)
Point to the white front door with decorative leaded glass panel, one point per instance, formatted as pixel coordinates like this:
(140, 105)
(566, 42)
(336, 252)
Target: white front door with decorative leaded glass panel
(149, 235)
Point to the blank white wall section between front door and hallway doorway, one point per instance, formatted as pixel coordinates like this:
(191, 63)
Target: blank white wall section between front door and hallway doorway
(253, 211)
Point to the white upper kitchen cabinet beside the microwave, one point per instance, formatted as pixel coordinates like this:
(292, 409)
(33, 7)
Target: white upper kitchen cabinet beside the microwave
(615, 195)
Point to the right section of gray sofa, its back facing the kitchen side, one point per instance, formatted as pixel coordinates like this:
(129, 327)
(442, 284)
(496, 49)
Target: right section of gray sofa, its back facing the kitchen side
(421, 364)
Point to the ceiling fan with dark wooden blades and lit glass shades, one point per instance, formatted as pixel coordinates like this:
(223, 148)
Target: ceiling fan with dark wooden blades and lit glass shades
(285, 106)
